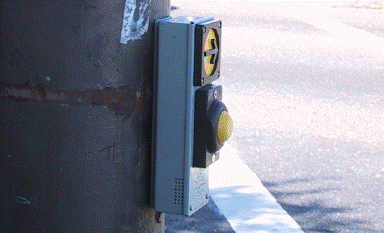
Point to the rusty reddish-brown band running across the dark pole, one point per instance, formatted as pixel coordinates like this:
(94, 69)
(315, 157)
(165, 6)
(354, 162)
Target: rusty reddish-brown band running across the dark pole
(122, 101)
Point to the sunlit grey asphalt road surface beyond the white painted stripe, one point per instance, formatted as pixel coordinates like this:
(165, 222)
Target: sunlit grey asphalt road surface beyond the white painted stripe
(304, 83)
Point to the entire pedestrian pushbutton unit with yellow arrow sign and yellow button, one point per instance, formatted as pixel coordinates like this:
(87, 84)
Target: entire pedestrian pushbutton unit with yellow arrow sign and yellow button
(191, 123)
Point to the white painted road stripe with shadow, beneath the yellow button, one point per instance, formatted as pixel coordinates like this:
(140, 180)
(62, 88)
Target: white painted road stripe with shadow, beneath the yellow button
(244, 201)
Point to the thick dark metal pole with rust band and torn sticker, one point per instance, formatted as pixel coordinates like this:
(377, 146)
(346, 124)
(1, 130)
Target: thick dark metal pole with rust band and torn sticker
(75, 109)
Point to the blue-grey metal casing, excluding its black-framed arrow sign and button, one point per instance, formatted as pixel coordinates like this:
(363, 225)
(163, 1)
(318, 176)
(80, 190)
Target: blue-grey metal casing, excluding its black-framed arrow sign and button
(177, 187)
